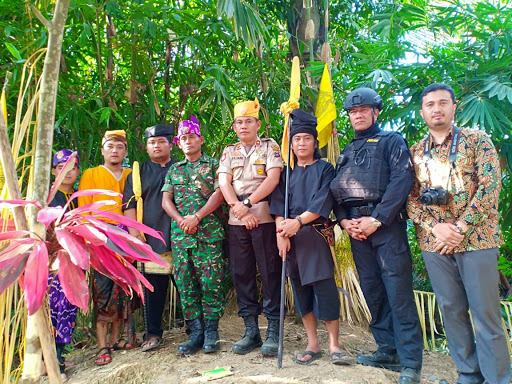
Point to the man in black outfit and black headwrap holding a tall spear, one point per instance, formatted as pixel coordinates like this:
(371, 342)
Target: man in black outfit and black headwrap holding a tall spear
(309, 259)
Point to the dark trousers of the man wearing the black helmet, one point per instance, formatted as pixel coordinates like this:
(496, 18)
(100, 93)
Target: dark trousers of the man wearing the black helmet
(384, 265)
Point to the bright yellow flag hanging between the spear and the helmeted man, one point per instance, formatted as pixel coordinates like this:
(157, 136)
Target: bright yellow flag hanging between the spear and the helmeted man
(325, 109)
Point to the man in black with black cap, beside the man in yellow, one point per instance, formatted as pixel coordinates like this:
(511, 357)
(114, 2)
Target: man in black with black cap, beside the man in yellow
(152, 177)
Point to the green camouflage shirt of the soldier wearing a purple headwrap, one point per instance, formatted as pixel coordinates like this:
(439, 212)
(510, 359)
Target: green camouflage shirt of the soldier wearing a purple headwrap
(188, 199)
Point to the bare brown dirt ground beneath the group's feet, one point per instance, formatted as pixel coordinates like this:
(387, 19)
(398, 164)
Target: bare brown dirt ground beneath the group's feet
(163, 365)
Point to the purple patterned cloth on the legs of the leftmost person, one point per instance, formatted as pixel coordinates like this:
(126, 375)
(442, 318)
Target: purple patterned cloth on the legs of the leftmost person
(62, 312)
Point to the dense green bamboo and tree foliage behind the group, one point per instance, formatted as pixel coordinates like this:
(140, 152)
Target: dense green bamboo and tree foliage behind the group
(131, 64)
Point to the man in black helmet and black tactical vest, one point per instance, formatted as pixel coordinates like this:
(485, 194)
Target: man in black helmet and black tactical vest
(373, 179)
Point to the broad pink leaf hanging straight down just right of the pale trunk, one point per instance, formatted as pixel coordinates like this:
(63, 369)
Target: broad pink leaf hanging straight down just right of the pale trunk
(73, 282)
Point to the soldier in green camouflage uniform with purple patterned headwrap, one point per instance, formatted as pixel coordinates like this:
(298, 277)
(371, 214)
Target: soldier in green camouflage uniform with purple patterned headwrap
(190, 197)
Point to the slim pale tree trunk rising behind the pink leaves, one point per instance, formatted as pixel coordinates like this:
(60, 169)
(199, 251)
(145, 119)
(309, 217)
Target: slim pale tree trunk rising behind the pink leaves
(38, 337)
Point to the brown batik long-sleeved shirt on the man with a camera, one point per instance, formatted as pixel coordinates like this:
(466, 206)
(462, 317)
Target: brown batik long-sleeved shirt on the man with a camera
(474, 184)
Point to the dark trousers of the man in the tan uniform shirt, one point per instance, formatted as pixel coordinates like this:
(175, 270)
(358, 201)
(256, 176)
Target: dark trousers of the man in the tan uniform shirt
(250, 251)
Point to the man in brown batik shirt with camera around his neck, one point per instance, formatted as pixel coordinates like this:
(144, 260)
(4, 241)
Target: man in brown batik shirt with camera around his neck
(454, 205)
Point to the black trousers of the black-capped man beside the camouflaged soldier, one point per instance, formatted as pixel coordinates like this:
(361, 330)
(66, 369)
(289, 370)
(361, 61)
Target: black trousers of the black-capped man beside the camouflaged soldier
(155, 303)
